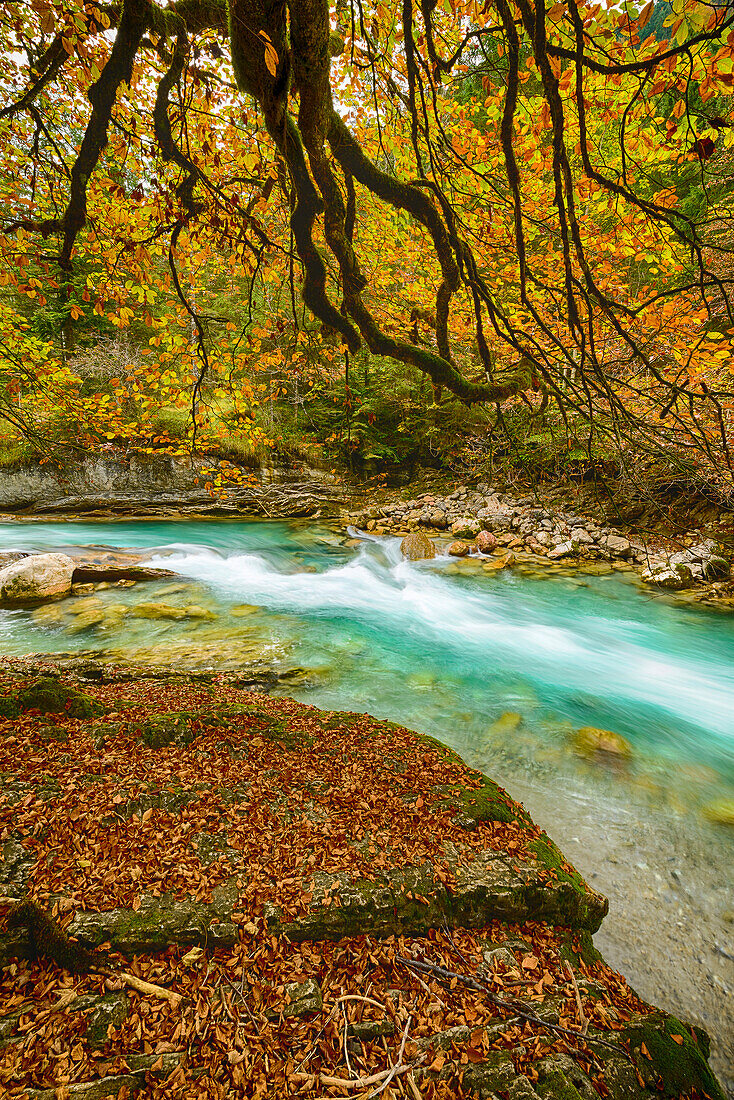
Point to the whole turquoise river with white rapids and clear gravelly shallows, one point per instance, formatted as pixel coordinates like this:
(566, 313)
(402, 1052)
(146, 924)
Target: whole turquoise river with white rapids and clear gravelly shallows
(503, 667)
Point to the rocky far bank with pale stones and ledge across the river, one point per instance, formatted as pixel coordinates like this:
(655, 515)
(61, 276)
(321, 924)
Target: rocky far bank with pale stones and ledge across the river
(561, 529)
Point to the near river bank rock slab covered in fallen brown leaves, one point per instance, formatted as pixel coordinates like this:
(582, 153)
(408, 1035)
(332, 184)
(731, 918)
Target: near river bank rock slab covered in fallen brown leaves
(381, 846)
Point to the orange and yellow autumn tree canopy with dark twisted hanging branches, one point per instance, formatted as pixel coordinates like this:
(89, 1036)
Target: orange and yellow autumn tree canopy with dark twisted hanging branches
(522, 202)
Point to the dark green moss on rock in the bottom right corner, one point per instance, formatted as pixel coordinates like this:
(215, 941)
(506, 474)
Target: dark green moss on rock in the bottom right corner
(682, 1065)
